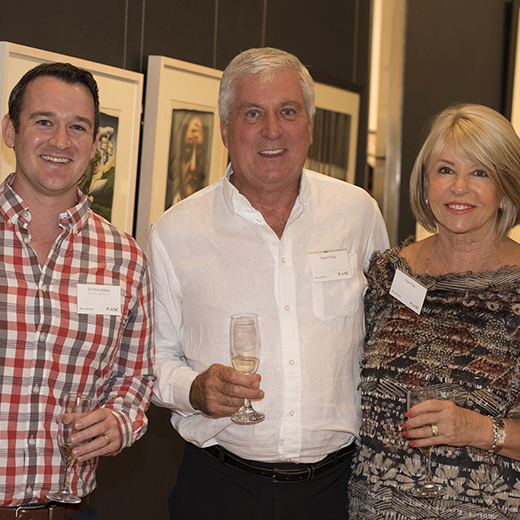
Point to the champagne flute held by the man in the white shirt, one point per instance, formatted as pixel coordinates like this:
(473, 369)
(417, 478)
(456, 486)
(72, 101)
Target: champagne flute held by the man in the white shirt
(245, 357)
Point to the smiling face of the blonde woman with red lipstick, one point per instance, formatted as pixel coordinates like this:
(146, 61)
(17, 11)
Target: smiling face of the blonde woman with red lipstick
(462, 196)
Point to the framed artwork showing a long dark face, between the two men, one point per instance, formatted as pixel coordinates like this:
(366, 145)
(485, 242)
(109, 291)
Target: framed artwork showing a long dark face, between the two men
(181, 148)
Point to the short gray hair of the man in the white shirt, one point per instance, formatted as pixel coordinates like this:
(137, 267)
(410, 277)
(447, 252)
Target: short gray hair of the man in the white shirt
(263, 61)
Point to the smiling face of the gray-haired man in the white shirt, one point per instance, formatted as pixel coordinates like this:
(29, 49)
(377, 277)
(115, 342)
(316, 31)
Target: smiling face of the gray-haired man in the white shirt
(269, 135)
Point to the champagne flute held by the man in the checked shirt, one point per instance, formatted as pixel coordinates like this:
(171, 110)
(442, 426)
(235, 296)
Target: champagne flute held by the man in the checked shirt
(74, 407)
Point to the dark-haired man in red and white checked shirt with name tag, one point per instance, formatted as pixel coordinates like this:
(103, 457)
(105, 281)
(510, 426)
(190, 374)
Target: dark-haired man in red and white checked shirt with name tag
(55, 337)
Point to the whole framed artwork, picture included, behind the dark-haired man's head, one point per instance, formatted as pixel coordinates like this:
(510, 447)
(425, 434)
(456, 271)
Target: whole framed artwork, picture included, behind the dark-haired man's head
(110, 179)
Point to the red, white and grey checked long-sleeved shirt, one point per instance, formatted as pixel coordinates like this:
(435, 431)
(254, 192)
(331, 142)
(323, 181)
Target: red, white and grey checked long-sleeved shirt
(47, 349)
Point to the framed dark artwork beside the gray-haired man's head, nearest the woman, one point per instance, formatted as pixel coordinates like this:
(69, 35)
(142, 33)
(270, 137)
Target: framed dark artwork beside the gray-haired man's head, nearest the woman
(335, 133)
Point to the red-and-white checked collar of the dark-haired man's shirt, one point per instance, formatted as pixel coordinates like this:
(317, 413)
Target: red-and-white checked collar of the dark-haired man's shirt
(15, 211)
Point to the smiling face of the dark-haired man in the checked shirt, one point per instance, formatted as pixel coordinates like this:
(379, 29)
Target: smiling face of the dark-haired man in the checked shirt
(55, 139)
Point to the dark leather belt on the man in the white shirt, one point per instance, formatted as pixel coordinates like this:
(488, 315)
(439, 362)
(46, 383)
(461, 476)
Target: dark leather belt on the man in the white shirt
(278, 473)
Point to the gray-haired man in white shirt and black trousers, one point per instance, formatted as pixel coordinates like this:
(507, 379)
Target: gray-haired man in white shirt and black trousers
(262, 240)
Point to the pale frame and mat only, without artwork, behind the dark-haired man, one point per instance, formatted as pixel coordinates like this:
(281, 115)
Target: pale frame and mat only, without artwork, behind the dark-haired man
(120, 95)
